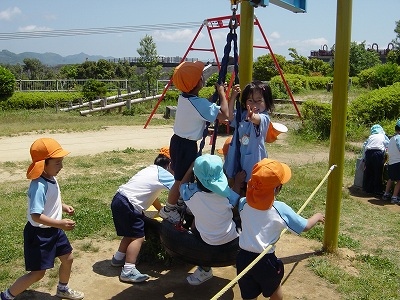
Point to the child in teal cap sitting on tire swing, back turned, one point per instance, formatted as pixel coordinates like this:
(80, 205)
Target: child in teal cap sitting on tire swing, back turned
(211, 202)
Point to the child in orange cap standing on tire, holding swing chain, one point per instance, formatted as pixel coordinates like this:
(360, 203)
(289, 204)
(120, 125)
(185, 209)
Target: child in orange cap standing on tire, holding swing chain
(192, 115)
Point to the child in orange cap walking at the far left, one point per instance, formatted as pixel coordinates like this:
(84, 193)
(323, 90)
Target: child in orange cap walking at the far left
(44, 236)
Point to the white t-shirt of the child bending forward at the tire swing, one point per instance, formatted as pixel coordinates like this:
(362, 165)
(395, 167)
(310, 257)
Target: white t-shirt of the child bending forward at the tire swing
(146, 185)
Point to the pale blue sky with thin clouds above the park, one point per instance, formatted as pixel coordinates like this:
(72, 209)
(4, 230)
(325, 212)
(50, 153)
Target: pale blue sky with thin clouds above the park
(372, 22)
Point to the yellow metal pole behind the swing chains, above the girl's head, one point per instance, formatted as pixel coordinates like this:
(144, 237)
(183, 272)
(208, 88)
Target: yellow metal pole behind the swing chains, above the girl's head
(246, 43)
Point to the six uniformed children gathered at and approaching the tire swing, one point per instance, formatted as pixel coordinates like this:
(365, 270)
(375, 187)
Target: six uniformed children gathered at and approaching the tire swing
(201, 181)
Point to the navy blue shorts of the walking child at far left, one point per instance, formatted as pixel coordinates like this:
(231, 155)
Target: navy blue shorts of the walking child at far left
(42, 246)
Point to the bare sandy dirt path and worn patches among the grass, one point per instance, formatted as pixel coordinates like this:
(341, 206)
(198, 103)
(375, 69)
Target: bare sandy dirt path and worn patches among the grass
(92, 272)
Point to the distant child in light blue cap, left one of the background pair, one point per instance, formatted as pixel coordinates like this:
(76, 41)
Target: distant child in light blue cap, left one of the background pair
(374, 157)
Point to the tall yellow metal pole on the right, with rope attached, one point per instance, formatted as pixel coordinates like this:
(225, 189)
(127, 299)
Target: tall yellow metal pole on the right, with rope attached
(338, 125)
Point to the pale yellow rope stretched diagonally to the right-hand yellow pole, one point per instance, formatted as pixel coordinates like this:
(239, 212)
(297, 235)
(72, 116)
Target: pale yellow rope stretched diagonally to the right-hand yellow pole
(257, 259)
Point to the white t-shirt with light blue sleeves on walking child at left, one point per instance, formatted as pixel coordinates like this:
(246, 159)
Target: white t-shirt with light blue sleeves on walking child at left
(44, 197)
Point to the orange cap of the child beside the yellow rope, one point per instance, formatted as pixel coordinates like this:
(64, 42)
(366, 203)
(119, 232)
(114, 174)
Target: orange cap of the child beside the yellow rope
(267, 174)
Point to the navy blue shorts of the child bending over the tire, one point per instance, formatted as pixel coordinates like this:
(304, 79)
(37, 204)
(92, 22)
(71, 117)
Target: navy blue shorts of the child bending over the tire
(128, 221)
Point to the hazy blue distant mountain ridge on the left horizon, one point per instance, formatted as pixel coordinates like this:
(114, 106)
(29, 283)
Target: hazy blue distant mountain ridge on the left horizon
(48, 58)
